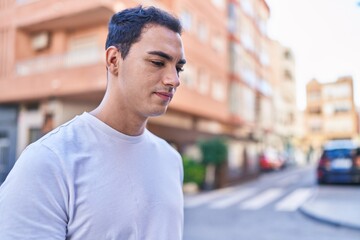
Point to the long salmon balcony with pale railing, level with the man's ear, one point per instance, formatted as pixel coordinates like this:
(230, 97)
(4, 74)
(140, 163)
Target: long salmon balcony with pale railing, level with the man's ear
(79, 75)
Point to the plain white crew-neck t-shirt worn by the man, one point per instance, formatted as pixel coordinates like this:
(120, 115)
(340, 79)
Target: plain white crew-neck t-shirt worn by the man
(85, 180)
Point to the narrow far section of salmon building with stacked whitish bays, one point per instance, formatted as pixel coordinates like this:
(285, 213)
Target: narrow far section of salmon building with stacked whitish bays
(250, 91)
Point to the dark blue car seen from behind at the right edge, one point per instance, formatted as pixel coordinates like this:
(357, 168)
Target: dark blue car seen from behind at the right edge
(339, 163)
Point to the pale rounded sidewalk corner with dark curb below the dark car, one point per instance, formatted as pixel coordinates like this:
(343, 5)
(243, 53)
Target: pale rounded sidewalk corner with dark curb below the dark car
(336, 204)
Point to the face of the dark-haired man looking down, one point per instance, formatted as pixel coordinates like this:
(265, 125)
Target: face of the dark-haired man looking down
(149, 74)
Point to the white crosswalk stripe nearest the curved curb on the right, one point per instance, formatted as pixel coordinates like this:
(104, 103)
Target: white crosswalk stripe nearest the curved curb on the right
(294, 200)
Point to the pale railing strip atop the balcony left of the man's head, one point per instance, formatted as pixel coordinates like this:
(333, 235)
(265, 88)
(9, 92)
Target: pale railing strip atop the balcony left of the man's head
(55, 62)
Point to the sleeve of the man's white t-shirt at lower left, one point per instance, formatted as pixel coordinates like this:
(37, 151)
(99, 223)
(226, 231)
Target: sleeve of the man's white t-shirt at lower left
(34, 197)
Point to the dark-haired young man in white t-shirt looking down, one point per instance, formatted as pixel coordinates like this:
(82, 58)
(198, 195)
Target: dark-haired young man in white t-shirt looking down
(103, 175)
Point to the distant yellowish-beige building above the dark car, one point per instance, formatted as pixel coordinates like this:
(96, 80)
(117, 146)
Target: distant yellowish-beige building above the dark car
(330, 111)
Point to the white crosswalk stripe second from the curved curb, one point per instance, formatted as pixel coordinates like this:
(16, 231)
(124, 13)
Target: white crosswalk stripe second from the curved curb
(262, 199)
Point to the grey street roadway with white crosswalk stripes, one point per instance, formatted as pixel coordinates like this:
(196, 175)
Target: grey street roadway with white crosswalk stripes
(264, 209)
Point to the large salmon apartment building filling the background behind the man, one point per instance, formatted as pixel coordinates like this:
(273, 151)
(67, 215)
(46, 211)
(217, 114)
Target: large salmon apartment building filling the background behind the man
(52, 68)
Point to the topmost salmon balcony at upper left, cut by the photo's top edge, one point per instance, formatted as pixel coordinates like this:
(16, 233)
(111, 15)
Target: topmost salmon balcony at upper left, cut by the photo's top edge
(61, 14)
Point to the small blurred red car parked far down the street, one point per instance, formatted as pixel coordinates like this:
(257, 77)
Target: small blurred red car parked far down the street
(271, 159)
